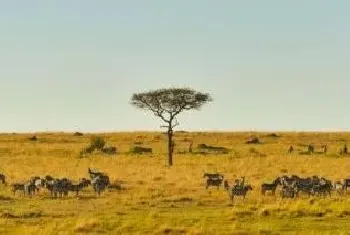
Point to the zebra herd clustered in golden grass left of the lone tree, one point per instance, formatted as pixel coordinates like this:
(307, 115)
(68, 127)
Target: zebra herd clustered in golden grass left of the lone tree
(59, 187)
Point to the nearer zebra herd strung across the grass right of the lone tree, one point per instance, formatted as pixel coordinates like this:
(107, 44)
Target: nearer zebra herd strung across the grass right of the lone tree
(290, 187)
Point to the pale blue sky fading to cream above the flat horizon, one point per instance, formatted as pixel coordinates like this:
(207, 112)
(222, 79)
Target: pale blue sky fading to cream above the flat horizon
(269, 65)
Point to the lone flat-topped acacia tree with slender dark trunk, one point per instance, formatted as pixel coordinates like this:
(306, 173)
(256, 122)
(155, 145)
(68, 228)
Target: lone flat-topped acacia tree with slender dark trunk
(167, 104)
